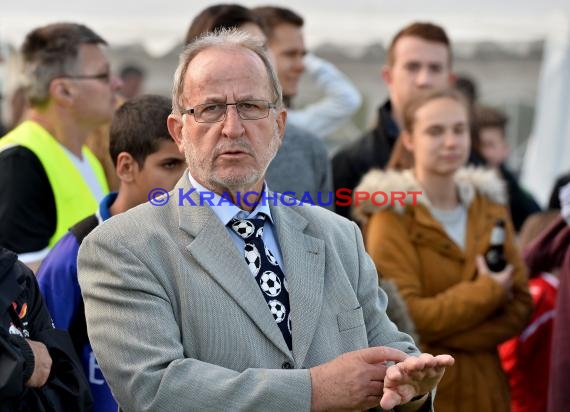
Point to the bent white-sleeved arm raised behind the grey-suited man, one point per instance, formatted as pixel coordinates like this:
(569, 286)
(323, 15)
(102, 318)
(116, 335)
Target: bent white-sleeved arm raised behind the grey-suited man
(341, 99)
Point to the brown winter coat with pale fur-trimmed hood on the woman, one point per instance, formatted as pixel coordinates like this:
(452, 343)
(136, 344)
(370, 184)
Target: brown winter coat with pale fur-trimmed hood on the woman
(455, 310)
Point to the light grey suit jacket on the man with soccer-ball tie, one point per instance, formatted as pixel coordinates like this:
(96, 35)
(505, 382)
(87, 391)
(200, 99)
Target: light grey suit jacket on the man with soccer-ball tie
(178, 323)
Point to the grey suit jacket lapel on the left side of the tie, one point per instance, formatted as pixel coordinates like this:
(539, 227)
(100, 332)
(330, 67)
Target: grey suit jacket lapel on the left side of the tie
(213, 248)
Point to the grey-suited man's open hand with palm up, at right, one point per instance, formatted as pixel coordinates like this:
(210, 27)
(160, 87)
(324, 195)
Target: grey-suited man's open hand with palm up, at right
(412, 377)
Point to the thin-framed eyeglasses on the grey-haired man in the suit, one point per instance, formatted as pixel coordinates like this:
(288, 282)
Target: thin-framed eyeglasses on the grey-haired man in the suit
(216, 112)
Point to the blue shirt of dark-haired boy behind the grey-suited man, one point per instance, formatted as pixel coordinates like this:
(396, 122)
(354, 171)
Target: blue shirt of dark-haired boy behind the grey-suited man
(57, 278)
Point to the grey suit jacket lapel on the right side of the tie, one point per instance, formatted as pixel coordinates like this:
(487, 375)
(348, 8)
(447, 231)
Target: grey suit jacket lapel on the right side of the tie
(304, 261)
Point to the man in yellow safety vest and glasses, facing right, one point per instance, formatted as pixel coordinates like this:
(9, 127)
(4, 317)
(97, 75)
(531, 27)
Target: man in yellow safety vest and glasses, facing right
(48, 178)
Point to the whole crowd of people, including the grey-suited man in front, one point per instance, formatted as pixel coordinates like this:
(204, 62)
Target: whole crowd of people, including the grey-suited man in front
(121, 288)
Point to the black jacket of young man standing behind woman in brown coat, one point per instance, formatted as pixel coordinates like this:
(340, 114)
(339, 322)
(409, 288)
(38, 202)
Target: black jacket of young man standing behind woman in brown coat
(371, 151)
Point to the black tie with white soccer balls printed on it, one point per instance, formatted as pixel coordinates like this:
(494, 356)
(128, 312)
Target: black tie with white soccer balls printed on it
(265, 268)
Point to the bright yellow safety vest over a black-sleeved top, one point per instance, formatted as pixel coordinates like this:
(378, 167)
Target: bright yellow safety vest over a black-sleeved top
(74, 200)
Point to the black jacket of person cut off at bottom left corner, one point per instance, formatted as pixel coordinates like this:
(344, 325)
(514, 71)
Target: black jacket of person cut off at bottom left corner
(24, 315)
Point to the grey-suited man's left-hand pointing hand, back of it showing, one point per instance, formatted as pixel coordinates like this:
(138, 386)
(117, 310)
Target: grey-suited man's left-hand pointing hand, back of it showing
(353, 380)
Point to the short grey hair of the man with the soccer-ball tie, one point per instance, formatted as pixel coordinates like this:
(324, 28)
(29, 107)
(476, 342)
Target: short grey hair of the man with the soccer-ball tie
(226, 39)
